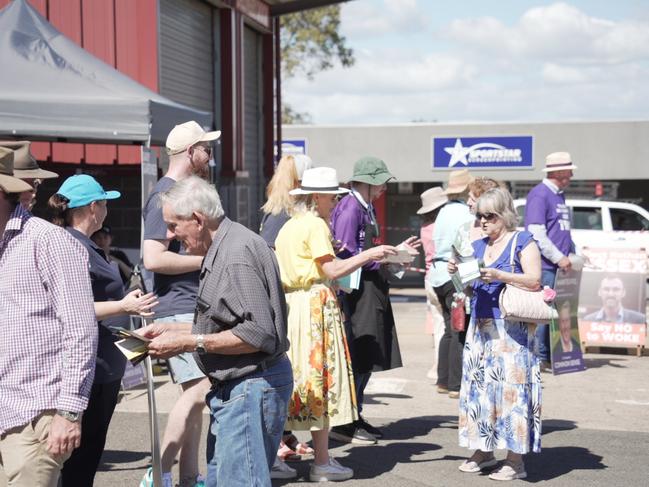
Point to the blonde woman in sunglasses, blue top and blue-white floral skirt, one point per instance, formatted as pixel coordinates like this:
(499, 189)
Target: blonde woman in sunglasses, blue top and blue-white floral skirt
(500, 395)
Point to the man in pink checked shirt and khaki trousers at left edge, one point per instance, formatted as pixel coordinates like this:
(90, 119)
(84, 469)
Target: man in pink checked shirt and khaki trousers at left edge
(48, 339)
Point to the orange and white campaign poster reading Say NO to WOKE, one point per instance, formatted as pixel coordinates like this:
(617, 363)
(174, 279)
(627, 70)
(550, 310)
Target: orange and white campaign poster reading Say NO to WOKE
(612, 308)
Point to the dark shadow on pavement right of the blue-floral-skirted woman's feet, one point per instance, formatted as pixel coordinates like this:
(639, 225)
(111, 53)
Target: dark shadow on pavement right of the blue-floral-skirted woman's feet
(555, 462)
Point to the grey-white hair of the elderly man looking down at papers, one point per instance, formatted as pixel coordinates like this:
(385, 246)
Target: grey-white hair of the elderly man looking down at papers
(193, 194)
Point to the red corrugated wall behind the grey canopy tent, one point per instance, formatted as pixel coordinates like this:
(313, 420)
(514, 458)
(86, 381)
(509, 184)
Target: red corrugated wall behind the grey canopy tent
(123, 33)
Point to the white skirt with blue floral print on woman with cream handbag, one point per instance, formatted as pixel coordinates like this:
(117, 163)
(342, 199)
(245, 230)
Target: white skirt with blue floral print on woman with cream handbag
(500, 395)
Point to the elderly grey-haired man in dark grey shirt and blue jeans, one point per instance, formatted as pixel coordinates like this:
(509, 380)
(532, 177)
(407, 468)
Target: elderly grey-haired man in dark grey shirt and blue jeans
(238, 336)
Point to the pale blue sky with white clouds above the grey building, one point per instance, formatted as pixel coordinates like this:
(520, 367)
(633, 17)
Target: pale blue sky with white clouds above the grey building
(485, 61)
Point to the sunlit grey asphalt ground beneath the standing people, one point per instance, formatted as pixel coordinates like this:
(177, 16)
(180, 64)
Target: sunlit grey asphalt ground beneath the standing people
(595, 425)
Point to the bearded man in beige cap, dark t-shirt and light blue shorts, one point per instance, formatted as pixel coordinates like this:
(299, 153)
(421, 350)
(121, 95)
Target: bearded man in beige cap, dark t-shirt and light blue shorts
(175, 281)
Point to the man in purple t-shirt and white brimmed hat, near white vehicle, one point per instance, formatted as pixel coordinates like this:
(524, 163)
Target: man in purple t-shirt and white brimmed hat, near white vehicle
(547, 218)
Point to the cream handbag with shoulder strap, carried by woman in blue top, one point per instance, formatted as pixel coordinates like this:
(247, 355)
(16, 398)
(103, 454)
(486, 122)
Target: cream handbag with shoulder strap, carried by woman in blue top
(518, 304)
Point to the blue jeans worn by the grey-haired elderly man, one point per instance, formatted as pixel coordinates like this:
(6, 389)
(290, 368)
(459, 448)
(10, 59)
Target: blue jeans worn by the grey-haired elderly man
(247, 417)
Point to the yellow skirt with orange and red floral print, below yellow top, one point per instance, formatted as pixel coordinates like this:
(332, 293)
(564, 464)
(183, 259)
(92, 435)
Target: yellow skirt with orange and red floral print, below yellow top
(323, 394)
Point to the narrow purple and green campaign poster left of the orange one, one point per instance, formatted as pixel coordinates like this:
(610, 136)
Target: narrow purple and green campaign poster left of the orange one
(565, 344)
